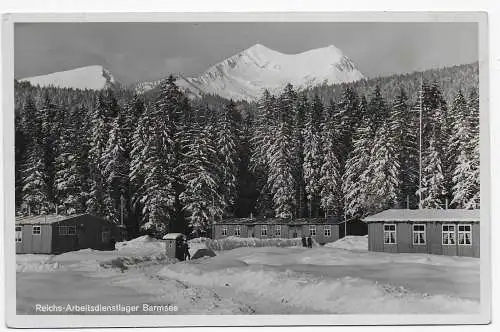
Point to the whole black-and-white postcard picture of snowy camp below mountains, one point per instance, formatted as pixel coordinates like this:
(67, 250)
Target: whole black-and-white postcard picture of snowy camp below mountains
(220, 167)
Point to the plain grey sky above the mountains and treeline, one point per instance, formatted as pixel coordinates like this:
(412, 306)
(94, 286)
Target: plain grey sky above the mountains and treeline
(136, 52)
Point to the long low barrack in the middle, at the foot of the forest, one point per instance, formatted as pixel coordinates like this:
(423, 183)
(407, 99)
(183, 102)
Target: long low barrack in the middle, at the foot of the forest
(323, 230)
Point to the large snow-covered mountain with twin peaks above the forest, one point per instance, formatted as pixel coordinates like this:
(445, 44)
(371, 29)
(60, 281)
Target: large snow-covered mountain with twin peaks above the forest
(246, 74)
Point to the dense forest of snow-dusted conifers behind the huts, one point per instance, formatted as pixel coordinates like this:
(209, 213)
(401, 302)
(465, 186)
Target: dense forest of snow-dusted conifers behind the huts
(176, 164)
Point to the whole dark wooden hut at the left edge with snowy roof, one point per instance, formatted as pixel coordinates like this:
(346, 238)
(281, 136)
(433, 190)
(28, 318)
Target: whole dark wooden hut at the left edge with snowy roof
(56, 233)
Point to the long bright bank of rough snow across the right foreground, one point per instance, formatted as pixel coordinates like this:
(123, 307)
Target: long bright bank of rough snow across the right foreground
(342, 295)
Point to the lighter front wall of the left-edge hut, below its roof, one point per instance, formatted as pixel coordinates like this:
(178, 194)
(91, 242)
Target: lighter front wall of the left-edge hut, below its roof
(35, 244)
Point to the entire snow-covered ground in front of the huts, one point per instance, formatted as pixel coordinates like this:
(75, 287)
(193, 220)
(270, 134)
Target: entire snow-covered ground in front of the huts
(341, 277)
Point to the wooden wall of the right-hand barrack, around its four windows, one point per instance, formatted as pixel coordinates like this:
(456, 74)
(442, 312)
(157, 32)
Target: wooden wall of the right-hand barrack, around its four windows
(433, 245)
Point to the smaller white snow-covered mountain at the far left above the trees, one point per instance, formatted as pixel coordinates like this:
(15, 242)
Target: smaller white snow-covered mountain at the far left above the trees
(90, 77)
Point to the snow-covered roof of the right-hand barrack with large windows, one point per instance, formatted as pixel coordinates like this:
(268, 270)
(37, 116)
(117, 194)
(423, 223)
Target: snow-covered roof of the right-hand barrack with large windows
(425, 215)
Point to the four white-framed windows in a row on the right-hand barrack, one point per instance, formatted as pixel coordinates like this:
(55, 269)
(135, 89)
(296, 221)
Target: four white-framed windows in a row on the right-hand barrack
(419, 238)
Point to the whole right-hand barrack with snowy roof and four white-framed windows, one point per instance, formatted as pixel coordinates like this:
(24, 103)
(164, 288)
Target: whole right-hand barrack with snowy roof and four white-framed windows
(453, 232)
